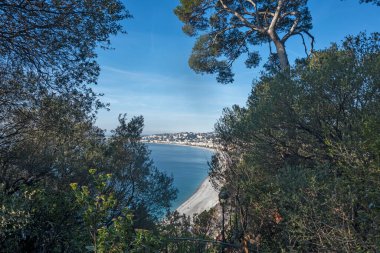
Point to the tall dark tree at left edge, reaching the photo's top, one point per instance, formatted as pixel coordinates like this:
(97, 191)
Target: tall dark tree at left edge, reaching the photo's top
(47, 62)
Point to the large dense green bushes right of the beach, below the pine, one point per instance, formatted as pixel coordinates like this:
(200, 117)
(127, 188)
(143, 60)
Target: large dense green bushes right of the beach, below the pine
(301, 160)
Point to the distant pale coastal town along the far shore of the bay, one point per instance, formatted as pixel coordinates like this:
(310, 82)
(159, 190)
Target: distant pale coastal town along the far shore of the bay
(206, 140)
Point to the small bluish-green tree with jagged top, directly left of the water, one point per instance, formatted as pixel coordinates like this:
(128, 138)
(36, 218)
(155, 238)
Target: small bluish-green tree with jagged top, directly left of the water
(138, 183)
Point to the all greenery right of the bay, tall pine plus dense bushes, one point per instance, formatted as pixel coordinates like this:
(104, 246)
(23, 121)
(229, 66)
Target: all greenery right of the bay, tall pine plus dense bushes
(301, 160)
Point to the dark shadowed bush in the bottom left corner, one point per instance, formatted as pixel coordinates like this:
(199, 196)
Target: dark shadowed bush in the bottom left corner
(39, 217)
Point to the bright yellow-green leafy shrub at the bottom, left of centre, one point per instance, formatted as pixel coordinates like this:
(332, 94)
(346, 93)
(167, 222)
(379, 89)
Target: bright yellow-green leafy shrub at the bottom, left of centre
(110, 229)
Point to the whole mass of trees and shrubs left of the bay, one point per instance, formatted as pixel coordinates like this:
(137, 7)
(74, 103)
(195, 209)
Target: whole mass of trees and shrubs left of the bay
(48, 140)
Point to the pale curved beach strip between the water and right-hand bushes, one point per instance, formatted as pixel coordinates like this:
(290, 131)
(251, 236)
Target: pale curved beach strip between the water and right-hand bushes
(203, 199)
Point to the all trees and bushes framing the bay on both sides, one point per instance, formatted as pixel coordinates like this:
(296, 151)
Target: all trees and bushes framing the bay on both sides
(300, 162)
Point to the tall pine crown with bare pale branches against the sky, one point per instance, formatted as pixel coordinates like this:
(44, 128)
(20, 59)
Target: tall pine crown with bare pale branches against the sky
(231, 28)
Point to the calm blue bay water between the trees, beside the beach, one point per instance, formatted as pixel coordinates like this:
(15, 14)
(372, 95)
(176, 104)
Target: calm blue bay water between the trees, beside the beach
(187, 165)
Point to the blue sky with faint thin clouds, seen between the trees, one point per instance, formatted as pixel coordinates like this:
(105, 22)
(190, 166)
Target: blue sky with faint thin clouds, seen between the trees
(147, 71)
